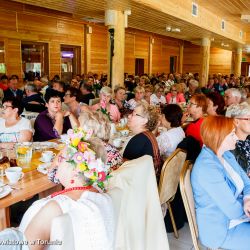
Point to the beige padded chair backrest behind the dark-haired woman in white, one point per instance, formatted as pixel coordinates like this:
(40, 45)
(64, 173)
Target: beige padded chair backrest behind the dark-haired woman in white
(170, 175)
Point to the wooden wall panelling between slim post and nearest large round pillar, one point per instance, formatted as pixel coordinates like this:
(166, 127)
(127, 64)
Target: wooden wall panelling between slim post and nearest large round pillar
(99, 49)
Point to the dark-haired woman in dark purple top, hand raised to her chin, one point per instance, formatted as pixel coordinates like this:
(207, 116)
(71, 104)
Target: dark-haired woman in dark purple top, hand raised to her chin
(53, 122)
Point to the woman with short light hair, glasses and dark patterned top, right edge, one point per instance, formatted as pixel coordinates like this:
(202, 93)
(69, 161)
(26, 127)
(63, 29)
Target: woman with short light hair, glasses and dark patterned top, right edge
(241, 115)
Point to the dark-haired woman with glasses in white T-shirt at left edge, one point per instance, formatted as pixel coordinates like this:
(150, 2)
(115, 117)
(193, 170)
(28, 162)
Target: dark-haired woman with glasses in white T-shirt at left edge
(13, 127)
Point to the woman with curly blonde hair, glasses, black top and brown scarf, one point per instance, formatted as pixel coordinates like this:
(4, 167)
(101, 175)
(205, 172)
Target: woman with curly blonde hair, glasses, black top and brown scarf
(142, 122)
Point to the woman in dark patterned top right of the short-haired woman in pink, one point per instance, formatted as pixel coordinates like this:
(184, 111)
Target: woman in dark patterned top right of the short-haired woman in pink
(120, 100)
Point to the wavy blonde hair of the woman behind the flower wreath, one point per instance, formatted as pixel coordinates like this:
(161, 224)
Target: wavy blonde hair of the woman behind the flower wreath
(97, 122)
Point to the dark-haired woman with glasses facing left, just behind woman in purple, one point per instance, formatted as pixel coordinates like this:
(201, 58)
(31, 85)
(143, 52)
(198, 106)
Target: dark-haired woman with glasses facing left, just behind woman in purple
(72, 100)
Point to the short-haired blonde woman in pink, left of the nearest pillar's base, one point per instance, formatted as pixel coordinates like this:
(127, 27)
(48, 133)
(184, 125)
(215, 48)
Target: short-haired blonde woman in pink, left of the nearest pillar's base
(107, 108)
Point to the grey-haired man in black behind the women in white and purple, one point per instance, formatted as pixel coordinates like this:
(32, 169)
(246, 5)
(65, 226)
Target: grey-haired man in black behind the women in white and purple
(33, 100)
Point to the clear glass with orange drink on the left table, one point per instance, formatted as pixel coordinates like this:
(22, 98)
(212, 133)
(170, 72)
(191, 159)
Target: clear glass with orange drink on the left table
(23, 153)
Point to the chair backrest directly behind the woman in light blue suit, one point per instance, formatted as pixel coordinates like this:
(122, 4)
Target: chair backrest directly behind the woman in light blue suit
(188, 200)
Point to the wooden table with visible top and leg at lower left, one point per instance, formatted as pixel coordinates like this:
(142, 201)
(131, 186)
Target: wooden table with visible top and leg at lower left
(31, 184)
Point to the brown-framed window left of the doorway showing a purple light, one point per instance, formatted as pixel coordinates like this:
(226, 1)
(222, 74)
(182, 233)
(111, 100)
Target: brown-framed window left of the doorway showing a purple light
(34, 60)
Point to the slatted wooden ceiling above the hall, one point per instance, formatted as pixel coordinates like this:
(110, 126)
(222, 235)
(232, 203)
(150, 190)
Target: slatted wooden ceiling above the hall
(146, 18)
